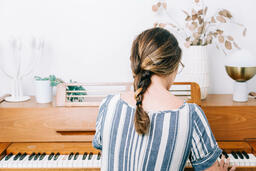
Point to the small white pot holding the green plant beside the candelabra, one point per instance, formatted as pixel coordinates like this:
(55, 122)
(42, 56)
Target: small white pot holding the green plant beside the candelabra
(43, 91)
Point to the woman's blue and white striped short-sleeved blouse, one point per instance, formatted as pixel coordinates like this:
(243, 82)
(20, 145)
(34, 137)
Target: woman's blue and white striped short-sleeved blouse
(174, 136)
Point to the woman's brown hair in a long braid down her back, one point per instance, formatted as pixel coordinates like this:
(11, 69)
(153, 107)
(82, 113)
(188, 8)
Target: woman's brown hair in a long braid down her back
(154, 51)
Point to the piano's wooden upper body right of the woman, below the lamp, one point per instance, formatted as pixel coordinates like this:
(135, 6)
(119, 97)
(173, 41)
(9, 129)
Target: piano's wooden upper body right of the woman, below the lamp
(230, 121)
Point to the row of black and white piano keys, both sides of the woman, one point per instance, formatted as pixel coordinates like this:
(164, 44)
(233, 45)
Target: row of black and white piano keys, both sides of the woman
(90, 160)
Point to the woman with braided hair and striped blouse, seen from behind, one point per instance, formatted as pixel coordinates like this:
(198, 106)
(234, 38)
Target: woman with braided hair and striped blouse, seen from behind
(151, 129)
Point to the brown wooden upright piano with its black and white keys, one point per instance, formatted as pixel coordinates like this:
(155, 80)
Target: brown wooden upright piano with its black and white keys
(46, 137)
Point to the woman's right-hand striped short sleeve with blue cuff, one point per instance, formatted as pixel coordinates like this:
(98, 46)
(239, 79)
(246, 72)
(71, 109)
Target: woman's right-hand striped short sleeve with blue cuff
(204, 148)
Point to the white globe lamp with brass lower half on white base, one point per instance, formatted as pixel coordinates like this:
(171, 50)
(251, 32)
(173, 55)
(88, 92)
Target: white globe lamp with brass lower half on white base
(241, 67)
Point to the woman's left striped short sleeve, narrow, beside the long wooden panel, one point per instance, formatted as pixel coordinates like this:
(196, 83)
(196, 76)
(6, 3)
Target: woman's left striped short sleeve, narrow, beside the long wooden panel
(97, 140)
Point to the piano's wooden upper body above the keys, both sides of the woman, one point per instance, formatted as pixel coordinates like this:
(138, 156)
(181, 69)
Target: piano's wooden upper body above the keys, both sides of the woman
(33, 122)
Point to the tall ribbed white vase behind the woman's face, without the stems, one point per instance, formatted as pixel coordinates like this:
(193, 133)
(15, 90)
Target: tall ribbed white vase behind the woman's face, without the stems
(196, 68)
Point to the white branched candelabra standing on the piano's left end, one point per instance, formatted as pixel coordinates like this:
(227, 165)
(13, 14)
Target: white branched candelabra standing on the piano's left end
(37, 46)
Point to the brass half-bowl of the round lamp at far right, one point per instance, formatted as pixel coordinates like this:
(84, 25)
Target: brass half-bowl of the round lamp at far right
(241, 74)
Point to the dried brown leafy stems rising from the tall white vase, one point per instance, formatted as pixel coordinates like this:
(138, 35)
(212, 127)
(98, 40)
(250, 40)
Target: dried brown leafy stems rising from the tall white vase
(202, 31)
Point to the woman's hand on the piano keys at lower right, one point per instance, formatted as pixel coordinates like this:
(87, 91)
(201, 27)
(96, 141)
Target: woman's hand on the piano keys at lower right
(221, 165)
